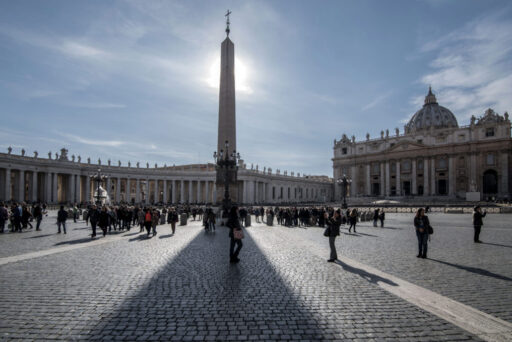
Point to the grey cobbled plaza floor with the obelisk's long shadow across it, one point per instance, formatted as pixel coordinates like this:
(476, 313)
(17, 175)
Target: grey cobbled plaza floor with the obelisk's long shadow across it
(182, 287)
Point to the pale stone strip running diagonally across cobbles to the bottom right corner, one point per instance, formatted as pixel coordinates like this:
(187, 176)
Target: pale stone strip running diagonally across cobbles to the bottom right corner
(476, 322)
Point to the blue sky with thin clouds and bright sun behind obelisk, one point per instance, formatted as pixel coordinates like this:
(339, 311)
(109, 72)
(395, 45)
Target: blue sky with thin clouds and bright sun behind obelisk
(138, 80)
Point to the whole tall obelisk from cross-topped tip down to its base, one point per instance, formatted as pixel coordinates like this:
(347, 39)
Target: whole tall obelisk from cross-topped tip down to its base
(226, 141)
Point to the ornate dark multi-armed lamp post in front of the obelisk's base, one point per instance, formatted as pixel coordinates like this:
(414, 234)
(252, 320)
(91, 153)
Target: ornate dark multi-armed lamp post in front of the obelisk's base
(227, 168)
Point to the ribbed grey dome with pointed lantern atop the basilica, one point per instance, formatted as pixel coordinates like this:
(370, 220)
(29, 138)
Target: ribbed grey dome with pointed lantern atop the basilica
(432, 115)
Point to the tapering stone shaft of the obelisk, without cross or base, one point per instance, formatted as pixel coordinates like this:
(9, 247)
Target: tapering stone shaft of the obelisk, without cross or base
(227, 117)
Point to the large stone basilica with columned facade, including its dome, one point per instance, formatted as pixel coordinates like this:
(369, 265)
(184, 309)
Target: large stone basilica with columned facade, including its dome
(434, 157)
